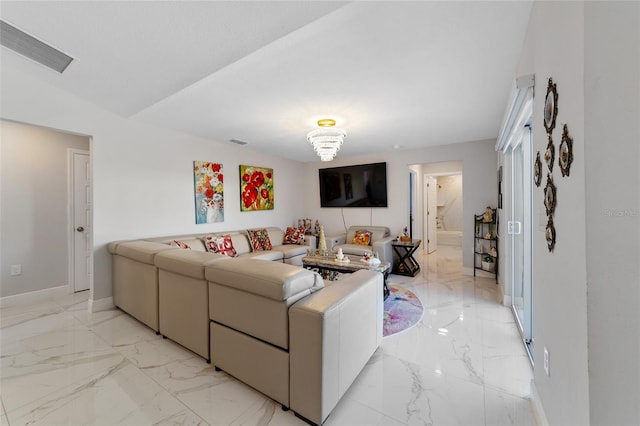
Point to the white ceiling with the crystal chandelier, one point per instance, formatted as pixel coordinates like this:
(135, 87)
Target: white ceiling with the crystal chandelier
(394, 75)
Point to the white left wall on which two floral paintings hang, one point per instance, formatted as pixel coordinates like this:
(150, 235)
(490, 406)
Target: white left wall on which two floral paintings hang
(142, 176)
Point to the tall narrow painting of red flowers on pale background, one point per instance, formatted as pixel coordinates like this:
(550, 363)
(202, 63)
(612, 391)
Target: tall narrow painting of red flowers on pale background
(209, 191)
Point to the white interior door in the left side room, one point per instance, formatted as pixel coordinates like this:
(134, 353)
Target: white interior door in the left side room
(81, 246)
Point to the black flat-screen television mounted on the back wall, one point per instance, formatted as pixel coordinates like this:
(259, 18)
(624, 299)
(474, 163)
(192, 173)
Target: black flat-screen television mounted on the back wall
(360, 185)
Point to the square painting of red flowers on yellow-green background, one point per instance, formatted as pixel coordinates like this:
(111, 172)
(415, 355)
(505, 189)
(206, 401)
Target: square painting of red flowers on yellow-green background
(256, 188)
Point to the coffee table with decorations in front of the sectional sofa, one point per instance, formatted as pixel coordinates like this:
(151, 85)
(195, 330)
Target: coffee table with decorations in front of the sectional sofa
(329, 266)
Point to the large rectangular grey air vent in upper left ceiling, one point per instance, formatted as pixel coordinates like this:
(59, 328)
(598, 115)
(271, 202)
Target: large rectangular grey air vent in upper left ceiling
(34, 49)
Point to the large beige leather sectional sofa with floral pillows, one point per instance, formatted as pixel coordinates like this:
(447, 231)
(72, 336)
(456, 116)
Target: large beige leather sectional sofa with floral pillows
(258, 316)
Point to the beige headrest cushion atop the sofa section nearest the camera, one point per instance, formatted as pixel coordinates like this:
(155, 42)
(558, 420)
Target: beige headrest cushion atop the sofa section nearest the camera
(274, 280)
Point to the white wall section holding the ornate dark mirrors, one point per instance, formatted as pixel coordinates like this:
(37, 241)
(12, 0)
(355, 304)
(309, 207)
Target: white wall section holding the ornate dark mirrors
(554, 47)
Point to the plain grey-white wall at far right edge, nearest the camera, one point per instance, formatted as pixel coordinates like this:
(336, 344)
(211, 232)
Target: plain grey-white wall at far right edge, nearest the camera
(612, 157)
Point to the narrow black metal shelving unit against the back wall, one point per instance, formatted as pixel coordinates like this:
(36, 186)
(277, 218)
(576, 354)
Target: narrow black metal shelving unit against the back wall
(485, 242)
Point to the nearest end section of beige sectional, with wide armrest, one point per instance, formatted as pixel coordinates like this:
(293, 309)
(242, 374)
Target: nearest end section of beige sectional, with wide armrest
(275, 328)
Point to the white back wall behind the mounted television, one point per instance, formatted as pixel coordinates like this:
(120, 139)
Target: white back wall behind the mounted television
(479, 190)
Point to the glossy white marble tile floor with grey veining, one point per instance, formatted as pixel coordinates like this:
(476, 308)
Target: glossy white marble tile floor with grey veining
(463, 364)
